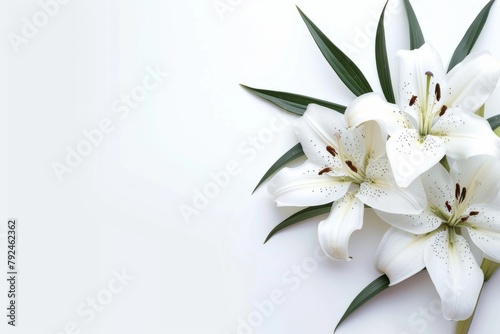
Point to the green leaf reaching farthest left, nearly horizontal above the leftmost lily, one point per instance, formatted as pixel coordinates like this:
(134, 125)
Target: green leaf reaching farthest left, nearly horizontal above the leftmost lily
(293, 103)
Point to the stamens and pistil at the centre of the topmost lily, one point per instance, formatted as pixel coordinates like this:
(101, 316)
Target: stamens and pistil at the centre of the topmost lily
(428, 111)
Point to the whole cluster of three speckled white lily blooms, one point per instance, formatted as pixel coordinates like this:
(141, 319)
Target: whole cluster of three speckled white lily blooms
(427, 165)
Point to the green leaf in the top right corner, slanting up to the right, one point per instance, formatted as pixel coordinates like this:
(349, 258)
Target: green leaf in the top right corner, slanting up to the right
(470, 37)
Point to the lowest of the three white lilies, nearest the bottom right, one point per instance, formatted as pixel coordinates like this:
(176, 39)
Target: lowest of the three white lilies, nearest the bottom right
(457, 201)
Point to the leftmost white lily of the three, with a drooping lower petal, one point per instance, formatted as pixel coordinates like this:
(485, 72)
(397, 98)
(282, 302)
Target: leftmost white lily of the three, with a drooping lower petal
(346, 166)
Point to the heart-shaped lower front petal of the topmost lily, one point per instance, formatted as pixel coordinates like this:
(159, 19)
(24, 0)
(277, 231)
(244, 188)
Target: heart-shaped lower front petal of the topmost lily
(410, 156)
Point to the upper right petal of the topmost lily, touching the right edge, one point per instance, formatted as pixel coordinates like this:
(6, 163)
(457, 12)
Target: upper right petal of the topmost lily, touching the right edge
(472, 81)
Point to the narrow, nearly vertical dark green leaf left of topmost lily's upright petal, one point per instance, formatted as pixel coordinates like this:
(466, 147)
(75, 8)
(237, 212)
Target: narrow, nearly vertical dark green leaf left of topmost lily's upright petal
(384, 72)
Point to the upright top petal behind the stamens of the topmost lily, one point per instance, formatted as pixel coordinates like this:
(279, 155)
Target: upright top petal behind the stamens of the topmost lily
(412, 67)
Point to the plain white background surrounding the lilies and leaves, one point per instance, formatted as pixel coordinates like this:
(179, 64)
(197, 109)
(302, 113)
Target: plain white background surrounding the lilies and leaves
(120, 209)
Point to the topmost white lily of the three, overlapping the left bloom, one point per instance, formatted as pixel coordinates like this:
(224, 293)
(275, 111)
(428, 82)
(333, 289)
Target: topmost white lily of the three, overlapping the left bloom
(434, 114)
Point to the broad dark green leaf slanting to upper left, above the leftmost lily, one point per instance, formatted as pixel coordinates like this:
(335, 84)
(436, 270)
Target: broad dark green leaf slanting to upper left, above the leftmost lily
(345, 68)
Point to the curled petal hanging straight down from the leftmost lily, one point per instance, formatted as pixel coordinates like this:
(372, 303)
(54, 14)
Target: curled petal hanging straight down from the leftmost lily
(334, 232)
